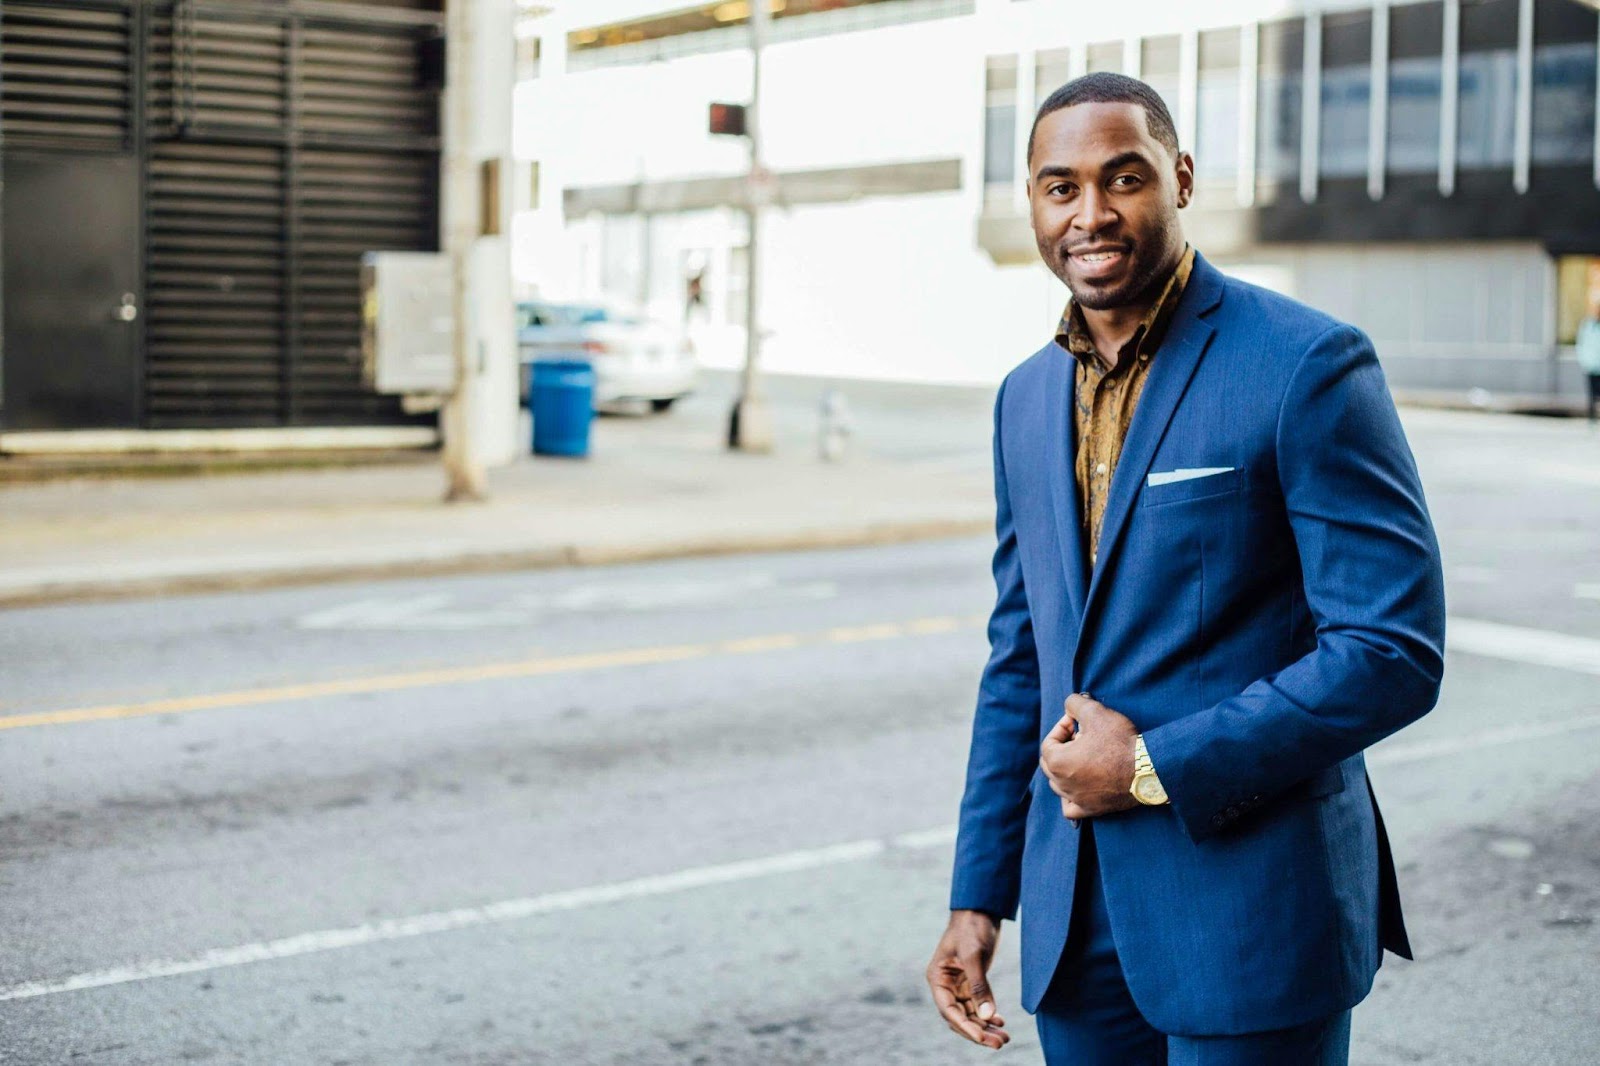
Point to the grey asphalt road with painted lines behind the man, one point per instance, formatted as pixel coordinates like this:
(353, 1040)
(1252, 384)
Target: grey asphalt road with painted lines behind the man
(700, 812)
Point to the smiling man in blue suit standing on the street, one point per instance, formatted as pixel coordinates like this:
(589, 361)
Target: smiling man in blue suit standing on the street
(1207, 518)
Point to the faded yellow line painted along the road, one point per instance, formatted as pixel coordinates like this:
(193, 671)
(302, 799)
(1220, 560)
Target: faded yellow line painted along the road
(490, 671)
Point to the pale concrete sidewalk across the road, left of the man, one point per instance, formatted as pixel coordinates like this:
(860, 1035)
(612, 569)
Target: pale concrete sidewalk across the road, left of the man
(654, 487)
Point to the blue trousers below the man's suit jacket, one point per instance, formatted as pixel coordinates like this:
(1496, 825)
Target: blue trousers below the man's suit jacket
(1089, 1019)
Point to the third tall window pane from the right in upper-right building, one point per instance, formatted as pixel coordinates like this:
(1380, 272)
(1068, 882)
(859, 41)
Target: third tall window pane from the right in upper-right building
(1417, 78)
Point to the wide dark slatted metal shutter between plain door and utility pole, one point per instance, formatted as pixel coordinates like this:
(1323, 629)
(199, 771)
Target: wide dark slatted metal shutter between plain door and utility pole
(284, 142)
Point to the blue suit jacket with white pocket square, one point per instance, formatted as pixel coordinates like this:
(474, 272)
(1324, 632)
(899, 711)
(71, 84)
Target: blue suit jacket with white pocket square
(1262, 627)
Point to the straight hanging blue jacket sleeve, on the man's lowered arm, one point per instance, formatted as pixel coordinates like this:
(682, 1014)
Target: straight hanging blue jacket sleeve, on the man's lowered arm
(1006, 734)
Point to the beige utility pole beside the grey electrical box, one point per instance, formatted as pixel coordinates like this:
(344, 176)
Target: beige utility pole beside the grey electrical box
(466, 479)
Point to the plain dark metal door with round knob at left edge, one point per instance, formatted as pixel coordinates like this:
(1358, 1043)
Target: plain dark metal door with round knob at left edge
(71, 230)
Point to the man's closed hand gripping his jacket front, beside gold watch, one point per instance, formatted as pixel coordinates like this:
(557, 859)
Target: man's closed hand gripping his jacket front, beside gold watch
(1089, 759)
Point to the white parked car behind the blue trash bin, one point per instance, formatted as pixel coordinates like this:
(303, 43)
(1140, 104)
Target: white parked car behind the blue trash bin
(636, 359)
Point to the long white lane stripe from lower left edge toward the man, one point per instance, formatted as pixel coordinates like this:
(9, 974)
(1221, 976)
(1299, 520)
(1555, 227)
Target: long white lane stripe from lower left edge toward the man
(489, 915)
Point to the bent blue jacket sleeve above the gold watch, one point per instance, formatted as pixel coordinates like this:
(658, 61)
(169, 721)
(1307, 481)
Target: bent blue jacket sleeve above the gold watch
(1374, 587)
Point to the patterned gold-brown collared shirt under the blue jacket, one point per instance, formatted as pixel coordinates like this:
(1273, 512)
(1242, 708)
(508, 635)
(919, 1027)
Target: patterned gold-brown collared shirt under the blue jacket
(1105, 398)
